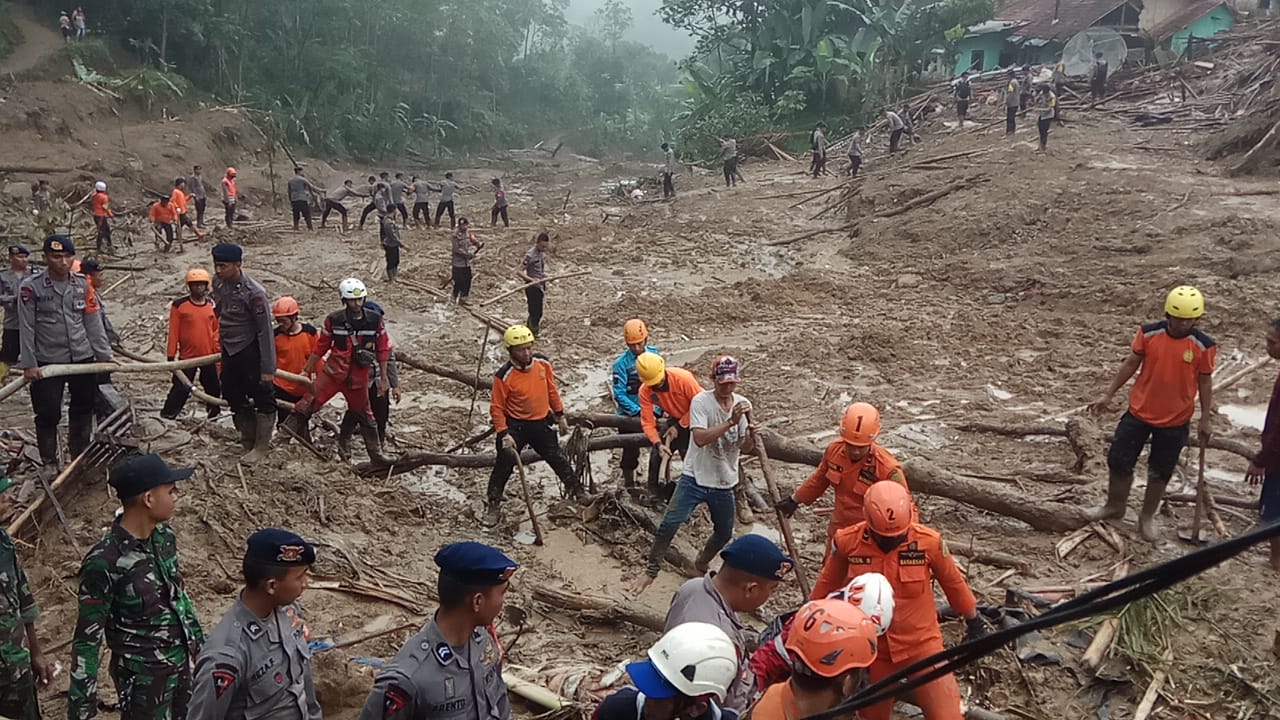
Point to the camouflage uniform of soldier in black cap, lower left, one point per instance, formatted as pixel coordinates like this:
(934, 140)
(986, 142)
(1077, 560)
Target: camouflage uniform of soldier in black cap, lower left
(132, 591)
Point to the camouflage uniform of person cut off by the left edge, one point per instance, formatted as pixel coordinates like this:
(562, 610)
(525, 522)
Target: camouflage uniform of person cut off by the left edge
(17, 610)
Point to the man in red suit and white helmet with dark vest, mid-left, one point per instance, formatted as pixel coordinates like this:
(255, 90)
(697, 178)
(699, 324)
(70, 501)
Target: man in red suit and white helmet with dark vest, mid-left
(354, 340)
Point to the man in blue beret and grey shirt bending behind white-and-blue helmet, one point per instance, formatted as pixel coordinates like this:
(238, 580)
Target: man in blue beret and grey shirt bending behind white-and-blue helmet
(753, 568)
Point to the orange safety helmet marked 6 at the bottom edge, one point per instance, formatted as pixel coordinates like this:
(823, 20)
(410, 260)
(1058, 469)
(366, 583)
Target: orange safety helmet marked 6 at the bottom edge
(833, 637)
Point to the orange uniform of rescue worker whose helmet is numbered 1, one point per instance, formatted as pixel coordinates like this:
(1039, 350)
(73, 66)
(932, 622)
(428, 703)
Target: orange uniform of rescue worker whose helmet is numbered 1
(851, 481)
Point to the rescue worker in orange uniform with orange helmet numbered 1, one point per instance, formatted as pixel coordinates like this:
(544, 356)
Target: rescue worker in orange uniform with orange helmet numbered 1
(851, 464)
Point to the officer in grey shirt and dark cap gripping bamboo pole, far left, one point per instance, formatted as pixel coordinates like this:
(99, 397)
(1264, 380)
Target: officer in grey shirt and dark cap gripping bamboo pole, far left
(60, 321)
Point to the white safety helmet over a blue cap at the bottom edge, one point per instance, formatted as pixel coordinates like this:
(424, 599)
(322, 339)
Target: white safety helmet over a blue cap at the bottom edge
(693, 659)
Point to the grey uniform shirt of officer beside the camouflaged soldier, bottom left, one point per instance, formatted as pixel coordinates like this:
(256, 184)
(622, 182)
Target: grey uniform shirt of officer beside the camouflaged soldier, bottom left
(255, 669)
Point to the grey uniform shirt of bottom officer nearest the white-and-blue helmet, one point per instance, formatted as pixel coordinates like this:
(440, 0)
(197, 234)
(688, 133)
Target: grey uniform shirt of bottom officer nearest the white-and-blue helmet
(428, 680)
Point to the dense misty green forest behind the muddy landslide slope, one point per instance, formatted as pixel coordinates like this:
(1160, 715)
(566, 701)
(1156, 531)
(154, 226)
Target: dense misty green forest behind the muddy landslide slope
(377, 79)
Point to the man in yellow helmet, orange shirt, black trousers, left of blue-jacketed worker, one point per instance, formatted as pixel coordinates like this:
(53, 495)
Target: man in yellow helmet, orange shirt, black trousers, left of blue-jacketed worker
(524, 405)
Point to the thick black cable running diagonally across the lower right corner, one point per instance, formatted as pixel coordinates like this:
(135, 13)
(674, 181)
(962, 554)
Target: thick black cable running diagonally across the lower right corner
(1100, 600)
